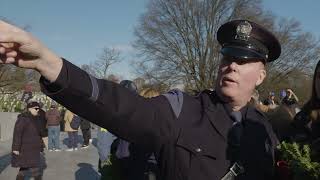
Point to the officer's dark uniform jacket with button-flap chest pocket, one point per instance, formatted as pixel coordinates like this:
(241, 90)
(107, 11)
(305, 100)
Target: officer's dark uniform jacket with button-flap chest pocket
(192, 146)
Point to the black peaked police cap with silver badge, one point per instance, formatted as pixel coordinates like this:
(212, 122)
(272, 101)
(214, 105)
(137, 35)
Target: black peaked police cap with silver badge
(247, 40)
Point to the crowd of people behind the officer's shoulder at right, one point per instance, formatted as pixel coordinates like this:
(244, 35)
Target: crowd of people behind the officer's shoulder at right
(291, 121)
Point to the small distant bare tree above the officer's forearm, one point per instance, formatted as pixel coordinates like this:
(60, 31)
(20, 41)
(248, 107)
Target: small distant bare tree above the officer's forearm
(108, 57)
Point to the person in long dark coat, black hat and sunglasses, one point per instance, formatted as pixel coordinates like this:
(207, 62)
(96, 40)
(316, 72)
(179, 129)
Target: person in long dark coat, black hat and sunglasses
(26, 144)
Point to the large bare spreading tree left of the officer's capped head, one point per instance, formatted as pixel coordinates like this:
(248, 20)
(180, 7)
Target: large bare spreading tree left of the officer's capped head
(177, 39)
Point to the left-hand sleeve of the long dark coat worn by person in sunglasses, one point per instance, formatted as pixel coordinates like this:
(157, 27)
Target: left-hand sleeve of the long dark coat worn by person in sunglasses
(17, 134)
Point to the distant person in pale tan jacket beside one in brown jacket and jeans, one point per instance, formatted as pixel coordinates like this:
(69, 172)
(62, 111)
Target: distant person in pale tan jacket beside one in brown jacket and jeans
(72, 133)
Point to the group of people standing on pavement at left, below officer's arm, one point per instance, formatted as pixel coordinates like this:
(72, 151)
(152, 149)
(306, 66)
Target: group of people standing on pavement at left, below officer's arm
(36, 130)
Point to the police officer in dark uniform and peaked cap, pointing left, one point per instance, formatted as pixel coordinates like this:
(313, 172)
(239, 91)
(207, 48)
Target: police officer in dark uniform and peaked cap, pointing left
(215, 135)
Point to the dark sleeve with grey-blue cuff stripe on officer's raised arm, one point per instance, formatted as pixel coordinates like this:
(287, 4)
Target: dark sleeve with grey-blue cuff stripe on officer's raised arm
(131, 117)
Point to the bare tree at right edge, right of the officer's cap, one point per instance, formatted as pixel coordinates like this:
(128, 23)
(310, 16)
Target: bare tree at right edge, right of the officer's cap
(294, 68)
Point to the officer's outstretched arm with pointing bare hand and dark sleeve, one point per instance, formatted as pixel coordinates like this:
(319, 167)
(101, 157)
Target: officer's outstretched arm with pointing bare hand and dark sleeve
(101, 102)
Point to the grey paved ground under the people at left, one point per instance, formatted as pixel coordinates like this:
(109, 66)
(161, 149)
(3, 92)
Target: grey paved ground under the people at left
(78, 165)
